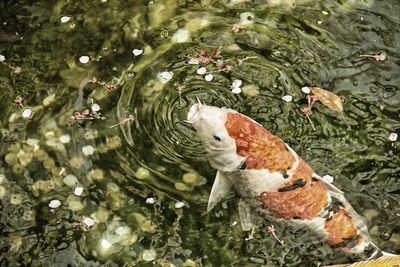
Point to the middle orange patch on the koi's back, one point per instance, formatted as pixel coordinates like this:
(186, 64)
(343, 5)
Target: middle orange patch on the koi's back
(305, 202)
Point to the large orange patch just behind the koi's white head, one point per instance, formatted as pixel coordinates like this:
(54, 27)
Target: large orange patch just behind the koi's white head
(262, 149)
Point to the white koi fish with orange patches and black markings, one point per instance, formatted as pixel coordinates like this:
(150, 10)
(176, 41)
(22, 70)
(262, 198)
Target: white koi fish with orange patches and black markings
(273, 180)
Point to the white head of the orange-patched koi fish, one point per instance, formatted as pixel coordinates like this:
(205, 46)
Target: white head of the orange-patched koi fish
(209, 122)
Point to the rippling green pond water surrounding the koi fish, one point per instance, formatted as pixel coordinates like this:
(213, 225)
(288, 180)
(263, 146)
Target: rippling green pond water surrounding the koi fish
(157, 157)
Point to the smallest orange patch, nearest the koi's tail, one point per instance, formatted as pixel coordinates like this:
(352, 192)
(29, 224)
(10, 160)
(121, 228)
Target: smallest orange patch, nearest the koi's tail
(339, 227)
